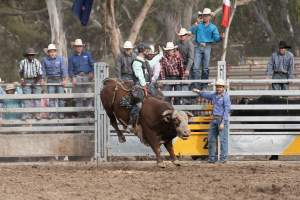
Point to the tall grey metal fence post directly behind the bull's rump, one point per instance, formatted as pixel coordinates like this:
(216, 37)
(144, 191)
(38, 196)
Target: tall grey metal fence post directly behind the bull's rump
(101, 119)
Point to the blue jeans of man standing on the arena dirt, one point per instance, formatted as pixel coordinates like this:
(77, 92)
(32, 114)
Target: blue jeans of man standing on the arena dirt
(212, 140)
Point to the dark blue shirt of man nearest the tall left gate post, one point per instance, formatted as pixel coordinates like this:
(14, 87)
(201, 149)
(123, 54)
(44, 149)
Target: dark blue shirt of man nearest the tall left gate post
(80, 63)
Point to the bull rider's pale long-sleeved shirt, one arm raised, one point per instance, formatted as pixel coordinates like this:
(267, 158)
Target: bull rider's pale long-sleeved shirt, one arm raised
(137, 67)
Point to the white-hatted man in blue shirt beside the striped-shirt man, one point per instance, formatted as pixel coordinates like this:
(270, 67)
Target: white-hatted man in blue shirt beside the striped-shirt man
(55, 71)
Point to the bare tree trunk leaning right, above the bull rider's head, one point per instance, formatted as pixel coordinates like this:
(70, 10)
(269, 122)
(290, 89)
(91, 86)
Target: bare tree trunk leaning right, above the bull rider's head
(136, 27)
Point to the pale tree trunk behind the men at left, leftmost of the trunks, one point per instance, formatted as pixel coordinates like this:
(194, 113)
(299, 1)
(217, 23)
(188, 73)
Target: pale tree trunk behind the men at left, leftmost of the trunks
(56, 22)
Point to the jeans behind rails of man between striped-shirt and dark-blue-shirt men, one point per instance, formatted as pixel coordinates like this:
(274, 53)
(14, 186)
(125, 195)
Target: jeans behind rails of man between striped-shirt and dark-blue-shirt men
(55, 89)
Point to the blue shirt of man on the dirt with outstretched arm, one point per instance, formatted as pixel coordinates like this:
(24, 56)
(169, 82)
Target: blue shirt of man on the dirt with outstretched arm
(221, 103)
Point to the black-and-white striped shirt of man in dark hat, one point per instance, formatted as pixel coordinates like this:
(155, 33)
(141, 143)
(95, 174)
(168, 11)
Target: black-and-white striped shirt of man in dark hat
(30, 68)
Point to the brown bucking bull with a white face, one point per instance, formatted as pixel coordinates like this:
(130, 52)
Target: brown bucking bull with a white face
(159, 121)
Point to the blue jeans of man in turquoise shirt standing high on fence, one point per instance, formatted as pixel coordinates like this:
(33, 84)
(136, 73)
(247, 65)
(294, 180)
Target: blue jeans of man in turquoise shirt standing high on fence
(200, 69)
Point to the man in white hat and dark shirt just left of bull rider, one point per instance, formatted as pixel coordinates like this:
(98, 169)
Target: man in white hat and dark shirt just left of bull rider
(124, 61)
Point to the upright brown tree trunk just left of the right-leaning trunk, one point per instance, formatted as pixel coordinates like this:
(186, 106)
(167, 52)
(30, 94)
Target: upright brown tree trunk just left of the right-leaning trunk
(111, 27)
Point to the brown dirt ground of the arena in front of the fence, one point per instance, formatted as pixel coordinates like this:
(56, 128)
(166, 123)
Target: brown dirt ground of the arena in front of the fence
(143, 180)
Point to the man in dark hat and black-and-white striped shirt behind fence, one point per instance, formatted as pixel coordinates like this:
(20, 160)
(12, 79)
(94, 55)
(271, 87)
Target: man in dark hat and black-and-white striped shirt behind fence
(30, 71)
